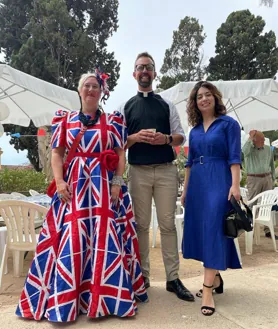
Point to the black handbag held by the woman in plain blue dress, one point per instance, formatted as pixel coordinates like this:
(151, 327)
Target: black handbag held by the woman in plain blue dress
(238, 220)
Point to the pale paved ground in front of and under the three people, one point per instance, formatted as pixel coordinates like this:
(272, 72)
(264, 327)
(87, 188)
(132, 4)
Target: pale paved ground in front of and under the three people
(250, 301)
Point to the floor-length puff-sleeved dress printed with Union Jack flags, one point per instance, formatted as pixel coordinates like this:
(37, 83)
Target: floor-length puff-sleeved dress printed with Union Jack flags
(87, 258)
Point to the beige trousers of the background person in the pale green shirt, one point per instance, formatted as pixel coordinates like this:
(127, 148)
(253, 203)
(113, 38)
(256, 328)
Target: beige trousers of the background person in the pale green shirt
(257, 185)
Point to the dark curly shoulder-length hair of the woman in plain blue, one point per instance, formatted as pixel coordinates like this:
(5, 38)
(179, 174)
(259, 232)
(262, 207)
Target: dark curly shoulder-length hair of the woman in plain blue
(194, 114)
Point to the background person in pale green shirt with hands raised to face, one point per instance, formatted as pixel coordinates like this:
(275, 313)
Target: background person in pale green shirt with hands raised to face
(260, 168)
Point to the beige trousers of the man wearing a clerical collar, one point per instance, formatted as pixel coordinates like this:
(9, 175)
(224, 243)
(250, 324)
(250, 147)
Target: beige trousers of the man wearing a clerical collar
(161, 183)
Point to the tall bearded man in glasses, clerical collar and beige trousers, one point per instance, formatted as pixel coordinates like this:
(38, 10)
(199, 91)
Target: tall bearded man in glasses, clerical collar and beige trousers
(154, 127)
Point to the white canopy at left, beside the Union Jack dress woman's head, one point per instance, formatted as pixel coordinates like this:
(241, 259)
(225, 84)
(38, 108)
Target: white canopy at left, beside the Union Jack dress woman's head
(29, 98)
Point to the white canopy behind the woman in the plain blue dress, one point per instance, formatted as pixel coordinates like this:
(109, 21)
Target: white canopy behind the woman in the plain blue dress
(253, 103)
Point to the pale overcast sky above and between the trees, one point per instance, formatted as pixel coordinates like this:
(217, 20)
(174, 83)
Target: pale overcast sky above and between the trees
(148, 25)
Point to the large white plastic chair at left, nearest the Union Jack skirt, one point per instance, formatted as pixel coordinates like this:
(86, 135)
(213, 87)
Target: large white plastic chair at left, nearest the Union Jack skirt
(19, 217)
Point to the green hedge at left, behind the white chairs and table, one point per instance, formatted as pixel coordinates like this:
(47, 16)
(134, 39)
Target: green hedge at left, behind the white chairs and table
(22, 180)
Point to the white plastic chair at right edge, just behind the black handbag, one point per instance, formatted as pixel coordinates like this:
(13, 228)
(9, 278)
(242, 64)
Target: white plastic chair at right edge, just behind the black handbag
(262, 215)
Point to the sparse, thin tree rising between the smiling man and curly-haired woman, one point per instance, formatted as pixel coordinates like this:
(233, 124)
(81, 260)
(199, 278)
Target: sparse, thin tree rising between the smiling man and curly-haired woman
(183, 61)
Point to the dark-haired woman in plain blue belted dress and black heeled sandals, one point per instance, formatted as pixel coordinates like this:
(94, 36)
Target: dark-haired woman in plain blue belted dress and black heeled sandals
(212, 177)
